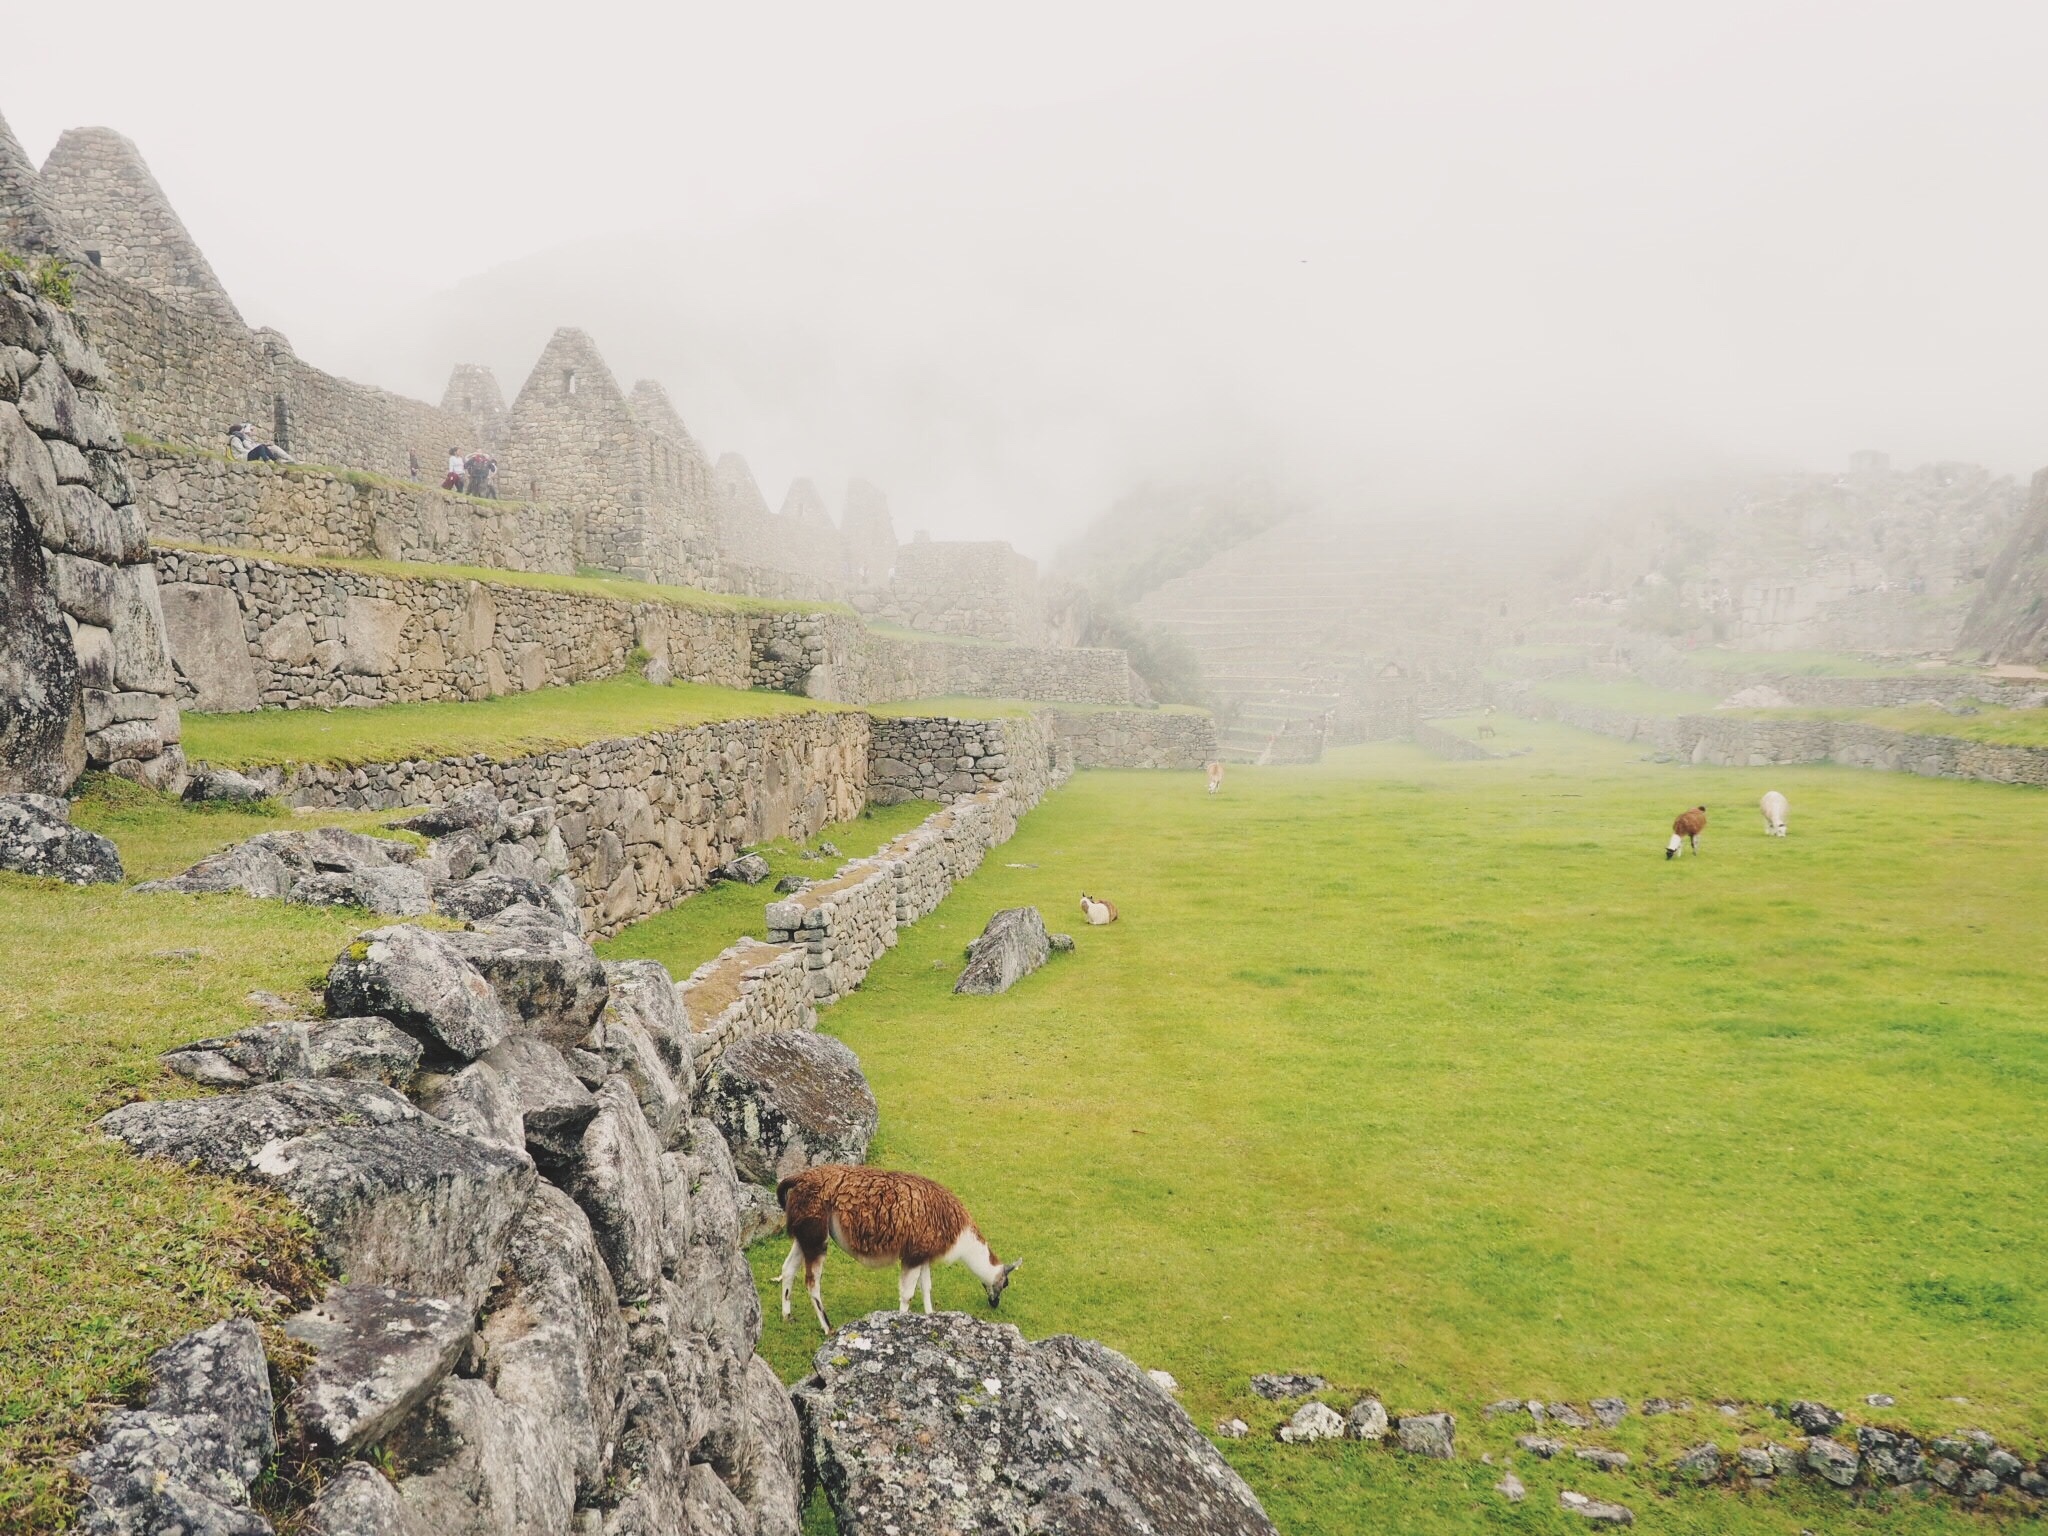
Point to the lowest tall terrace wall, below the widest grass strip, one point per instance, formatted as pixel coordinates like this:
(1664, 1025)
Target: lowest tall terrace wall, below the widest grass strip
(646, 818)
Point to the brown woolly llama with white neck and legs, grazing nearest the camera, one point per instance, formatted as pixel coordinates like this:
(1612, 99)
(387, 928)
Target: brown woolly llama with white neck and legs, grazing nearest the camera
(882, 1218)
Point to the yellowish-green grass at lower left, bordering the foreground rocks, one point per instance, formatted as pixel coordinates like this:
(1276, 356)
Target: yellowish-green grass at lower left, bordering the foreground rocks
(112, 1256)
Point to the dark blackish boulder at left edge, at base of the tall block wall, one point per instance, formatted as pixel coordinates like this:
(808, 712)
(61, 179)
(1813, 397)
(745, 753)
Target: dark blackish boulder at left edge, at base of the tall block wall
(42, 730)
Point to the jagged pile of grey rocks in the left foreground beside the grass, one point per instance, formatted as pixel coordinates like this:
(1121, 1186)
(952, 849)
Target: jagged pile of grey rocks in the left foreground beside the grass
(538, 1342)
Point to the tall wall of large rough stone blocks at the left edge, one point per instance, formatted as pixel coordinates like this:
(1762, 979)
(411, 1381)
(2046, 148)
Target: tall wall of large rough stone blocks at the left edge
(83, 660)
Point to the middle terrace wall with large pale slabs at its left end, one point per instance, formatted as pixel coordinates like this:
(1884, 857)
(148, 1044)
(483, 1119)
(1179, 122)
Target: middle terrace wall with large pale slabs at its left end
(257, 634)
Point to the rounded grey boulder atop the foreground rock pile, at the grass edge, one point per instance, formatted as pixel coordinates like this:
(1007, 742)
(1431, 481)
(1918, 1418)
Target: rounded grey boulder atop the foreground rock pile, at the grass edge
(425, 984)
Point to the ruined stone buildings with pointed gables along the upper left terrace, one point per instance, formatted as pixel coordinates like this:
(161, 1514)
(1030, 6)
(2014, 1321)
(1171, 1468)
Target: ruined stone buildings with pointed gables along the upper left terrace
(620, 472)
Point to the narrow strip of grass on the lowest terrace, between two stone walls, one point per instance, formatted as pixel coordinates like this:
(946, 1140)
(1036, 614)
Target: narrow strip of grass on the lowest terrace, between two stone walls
(505, 728)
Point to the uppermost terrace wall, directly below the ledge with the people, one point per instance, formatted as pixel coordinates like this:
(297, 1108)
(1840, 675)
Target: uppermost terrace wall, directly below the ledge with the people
(310, 511)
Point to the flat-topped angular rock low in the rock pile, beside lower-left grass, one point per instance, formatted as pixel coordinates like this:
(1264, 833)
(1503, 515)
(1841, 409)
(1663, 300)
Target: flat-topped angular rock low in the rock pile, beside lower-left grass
(378, 1355)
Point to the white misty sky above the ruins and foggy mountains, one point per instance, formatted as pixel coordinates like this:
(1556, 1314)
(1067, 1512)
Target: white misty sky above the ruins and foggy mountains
(1007, 263)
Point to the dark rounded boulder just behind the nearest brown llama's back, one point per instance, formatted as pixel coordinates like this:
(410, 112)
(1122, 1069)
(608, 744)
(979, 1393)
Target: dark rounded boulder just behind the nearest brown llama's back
(790, 1101)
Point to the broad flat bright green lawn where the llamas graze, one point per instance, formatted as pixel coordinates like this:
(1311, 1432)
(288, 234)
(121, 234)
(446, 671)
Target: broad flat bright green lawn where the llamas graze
(1439, 1080)
